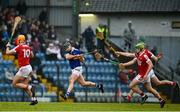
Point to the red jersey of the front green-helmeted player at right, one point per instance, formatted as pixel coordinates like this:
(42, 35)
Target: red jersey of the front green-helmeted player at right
(142, 59)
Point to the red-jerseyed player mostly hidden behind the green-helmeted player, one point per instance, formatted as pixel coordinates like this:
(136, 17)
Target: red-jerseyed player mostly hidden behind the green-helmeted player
(153, 77)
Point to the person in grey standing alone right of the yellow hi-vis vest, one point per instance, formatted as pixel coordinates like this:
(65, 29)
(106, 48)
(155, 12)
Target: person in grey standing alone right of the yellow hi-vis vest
(130, 37)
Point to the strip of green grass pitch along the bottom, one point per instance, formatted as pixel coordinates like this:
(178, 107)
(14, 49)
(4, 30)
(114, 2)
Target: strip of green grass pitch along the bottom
(42, 106)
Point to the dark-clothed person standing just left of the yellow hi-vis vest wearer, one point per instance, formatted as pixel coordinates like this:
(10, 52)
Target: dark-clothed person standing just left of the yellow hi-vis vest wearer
(89, 35)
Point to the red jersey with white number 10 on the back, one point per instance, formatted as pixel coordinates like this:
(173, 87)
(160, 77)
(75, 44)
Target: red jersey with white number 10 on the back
(23, 51)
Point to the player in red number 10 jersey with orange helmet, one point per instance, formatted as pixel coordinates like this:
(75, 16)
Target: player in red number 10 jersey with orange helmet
(21, 79)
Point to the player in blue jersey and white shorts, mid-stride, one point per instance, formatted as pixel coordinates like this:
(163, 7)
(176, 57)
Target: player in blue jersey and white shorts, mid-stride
(75, 57)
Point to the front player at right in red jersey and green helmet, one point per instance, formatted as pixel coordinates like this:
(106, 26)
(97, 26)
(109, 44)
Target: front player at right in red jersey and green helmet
(144, 74)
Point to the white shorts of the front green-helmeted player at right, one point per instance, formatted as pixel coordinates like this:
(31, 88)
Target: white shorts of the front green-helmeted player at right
(149, 76)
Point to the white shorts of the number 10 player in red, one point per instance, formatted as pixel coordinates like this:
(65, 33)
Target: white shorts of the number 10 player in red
(25, 71)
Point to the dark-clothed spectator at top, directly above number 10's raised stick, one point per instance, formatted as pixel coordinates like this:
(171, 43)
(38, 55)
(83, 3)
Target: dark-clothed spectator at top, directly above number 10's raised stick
(21, 7)
